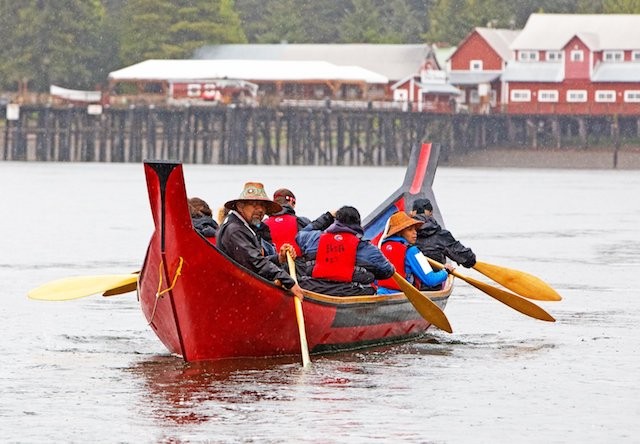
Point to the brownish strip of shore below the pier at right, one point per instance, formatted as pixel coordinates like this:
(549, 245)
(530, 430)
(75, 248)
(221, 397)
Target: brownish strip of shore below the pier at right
(628, 158)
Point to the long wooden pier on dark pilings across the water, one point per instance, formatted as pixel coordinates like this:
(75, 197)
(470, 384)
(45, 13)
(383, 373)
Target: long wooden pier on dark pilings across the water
(285, 136)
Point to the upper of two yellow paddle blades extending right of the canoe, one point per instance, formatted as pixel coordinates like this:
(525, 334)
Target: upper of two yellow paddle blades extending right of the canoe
(519, 282)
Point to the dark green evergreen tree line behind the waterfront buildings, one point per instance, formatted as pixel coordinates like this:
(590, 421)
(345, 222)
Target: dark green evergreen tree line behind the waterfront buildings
(76, 43)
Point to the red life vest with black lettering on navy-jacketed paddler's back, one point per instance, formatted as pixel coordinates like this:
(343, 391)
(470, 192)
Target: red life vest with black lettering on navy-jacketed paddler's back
(336, 257)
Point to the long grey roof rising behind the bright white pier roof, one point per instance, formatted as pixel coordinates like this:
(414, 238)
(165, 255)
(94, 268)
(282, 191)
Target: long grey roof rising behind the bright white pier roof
(392, 61)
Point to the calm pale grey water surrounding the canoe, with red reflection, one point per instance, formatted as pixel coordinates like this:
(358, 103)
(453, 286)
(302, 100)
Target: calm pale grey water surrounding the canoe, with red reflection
(90, 370)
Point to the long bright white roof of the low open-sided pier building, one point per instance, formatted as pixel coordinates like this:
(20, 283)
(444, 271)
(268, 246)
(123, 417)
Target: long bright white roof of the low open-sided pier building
(265, 70)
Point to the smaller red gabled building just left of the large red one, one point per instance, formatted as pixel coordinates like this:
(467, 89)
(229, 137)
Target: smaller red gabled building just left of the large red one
(476, 67)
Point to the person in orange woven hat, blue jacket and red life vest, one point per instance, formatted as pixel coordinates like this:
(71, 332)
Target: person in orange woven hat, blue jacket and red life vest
(398, 246)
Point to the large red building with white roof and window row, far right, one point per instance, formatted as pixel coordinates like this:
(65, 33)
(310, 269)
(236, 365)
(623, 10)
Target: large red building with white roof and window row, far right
(575, 64)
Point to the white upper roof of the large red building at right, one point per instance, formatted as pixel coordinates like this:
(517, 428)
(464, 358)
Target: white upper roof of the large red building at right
(598, 31)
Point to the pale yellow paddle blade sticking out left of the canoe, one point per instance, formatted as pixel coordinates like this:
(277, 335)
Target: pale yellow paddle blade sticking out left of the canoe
(80, 286)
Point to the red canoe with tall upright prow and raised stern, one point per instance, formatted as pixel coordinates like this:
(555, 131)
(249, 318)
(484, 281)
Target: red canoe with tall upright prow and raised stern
(203, 306)
